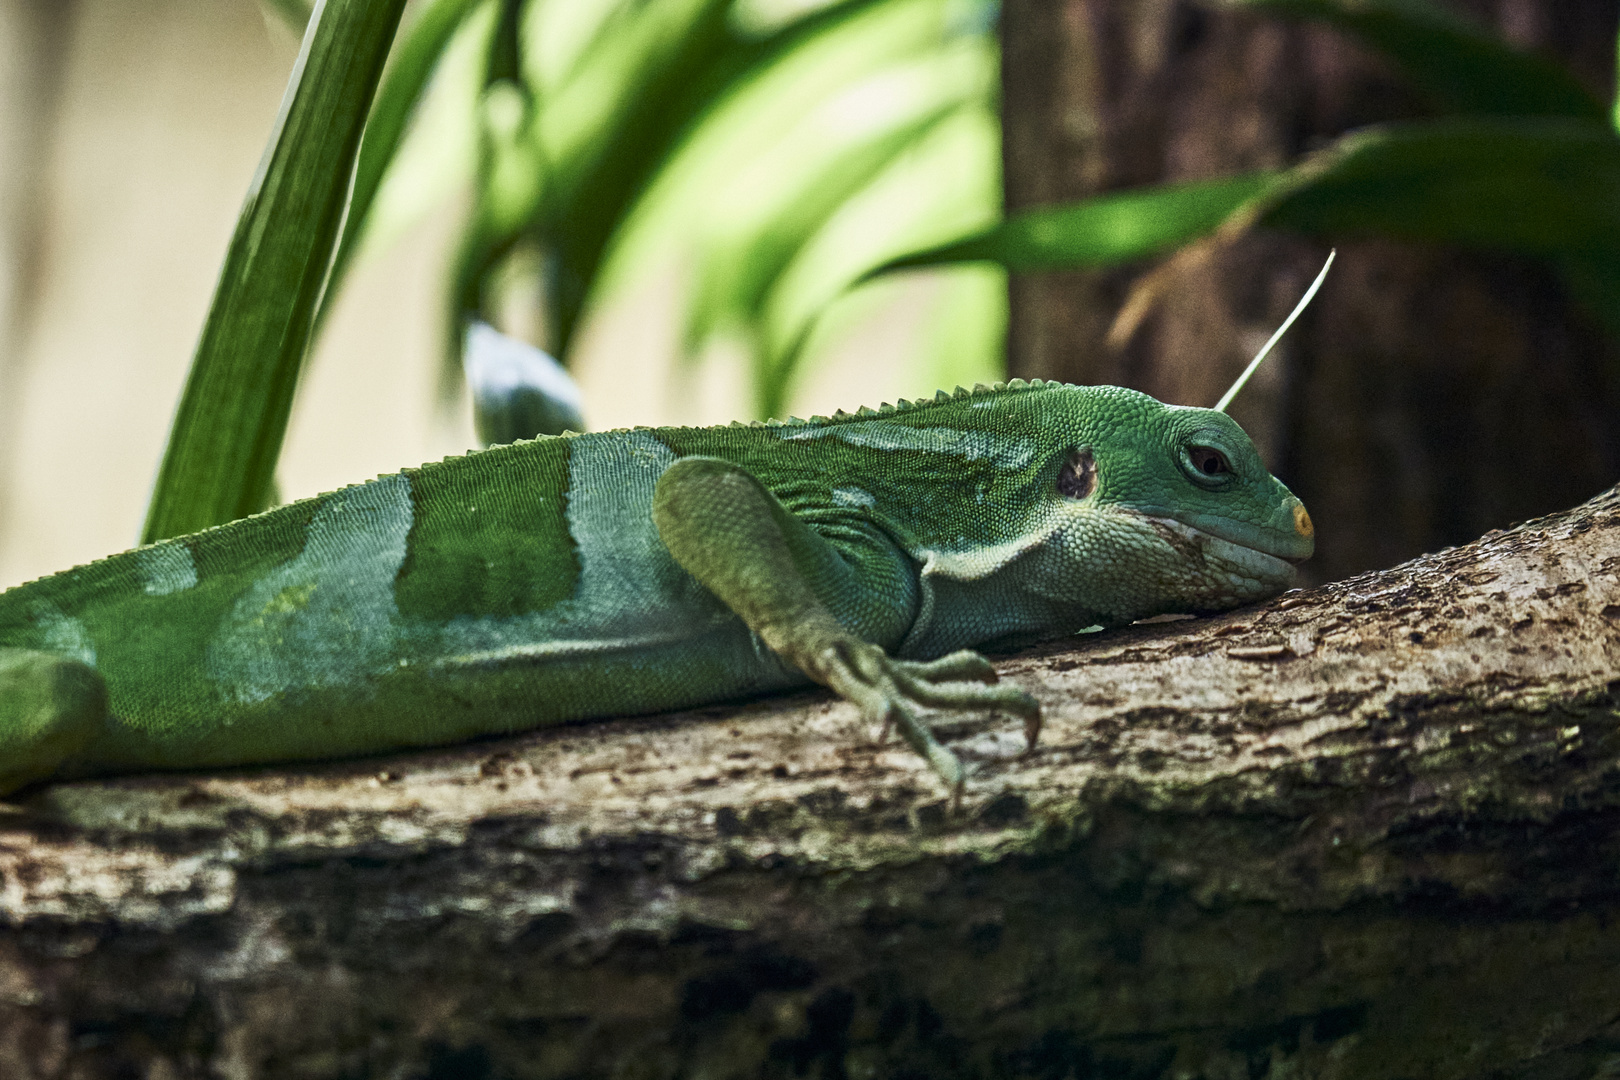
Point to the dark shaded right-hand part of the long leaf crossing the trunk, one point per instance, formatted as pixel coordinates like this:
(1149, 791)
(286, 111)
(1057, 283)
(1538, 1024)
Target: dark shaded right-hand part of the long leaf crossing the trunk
(1533, 185)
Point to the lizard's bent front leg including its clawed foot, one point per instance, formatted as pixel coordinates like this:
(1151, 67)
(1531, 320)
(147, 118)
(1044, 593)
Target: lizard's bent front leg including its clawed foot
(785, 580)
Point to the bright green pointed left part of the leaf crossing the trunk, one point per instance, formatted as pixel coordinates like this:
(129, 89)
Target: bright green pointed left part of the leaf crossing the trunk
(1099, 232)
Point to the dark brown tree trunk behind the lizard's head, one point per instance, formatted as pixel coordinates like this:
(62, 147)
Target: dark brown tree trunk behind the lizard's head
(1430, 394)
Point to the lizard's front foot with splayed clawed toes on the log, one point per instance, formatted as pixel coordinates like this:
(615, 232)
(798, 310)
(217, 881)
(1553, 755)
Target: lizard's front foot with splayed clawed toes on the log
(889, 692)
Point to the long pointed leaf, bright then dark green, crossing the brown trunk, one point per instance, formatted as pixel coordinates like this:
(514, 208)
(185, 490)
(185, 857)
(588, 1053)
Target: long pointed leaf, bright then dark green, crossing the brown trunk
(1533, 185)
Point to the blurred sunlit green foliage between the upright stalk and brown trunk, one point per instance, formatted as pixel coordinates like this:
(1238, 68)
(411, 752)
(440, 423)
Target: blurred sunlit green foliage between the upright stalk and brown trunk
(774, 148)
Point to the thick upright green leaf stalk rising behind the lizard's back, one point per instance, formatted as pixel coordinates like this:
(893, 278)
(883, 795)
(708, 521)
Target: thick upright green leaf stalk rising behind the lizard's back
(228, 435)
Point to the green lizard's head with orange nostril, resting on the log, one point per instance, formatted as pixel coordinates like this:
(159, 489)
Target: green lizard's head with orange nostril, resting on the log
(1174, 501)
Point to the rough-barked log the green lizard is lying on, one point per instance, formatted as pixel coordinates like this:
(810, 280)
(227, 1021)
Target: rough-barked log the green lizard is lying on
(1363, 831)
